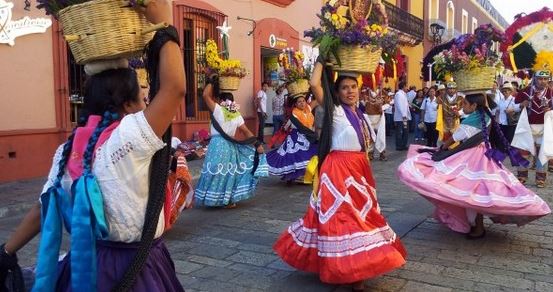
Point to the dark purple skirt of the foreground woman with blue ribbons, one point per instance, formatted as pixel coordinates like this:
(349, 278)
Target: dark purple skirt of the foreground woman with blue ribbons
(158, 273)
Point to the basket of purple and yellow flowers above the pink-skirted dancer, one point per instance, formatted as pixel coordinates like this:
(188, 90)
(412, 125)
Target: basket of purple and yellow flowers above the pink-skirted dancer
(470, 60)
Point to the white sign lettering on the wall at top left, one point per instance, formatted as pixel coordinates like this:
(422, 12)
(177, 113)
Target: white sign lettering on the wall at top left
(10, 29)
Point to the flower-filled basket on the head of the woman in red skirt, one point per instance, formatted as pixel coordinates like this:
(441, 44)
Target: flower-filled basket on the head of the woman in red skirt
(347, 39)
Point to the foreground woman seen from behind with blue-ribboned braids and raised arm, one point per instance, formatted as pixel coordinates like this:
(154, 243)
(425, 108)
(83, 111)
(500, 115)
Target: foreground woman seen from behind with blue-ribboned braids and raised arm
(99, 186)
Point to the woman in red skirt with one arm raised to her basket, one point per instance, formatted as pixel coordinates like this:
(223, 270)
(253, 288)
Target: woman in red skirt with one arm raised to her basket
(343, 236)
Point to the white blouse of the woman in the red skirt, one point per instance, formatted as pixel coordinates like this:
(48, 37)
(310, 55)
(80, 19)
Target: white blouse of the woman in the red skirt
(344, 137)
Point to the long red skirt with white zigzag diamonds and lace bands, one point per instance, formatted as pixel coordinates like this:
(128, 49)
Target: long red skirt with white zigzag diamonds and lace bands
(343, 236)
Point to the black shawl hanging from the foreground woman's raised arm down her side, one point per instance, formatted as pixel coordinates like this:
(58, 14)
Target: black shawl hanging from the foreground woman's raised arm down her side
(159, 166)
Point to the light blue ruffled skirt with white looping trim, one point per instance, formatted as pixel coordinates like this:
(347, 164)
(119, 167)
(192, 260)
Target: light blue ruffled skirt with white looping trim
(227, 174)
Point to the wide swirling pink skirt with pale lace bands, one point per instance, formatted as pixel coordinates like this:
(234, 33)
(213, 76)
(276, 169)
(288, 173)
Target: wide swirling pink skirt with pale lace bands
(468, 183)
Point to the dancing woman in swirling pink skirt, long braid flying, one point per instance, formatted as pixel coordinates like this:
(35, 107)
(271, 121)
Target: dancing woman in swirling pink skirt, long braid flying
(469, 181)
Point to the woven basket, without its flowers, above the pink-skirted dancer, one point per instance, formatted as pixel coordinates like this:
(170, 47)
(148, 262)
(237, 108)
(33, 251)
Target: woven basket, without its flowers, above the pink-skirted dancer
(480, 78)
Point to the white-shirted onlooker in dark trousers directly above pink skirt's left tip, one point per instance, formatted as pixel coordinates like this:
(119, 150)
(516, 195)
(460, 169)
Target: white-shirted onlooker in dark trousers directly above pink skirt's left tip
(402, 116)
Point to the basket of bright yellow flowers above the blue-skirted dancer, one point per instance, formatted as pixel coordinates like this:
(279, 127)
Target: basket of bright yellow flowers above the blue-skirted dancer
(230, 71)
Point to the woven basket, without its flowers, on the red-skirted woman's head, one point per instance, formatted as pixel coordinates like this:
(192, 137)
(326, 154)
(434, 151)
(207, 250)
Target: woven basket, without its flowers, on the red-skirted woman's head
(357, 59)
